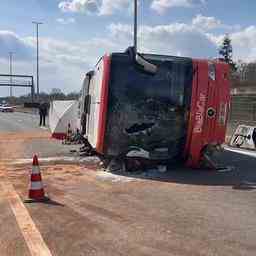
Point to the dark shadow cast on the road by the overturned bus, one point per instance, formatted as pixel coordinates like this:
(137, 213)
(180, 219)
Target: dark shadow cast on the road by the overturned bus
(243, 176)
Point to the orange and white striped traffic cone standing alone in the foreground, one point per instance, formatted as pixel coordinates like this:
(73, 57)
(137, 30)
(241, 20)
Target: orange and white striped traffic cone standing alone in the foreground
(36, 190)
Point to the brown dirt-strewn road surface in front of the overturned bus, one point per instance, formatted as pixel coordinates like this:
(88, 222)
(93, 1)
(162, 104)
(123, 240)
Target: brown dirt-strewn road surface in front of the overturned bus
(92, 212)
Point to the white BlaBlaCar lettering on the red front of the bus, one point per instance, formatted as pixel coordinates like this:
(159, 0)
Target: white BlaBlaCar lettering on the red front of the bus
(200, 110)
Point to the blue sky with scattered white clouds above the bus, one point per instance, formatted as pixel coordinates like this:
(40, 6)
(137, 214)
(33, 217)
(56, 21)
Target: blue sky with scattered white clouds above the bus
(76, 33)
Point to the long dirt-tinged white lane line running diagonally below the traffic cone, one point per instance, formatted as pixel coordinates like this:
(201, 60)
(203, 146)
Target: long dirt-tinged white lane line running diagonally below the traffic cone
(32, 236)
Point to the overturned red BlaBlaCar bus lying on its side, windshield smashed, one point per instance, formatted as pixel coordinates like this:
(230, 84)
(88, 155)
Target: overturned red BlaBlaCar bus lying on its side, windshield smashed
(155, 107)
